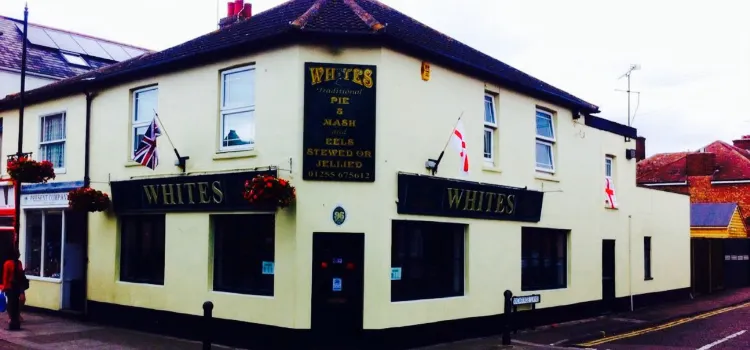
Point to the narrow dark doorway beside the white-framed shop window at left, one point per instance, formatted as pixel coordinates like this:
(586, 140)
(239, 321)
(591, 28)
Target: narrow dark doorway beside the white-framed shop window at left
(74, 263)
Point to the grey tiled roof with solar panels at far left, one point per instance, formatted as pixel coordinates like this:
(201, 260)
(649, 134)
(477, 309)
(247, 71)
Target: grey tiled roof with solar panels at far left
(41, 60)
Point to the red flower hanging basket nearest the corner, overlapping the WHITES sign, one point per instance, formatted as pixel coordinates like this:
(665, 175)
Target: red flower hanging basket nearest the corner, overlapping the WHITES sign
(269, 190)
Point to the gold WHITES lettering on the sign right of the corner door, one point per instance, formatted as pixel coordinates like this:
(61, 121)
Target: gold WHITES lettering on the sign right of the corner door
(470, 200)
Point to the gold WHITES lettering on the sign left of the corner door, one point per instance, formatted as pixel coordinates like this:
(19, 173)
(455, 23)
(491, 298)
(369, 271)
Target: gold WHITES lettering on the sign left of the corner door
(175, 193)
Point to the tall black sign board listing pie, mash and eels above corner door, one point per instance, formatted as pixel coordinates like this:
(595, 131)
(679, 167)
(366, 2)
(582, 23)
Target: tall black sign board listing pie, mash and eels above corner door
(339, 126)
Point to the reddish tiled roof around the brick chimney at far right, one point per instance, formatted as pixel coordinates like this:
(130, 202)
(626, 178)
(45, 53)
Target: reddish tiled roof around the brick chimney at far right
(732, 163)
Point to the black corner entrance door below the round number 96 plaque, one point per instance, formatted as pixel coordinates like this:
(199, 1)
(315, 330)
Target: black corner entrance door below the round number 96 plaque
(337, 285)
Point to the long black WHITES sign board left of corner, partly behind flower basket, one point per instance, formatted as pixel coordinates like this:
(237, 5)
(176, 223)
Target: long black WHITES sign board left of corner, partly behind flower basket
(214, 192)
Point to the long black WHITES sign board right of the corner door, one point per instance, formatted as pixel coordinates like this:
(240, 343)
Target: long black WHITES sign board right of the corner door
(435, 196)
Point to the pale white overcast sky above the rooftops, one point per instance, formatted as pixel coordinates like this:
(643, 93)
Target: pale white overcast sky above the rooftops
(694, 57)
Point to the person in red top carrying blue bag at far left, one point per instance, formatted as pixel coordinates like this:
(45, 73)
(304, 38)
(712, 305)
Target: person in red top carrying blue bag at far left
(14, 287)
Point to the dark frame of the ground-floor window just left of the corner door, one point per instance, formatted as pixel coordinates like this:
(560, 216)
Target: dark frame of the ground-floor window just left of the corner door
(254, 291)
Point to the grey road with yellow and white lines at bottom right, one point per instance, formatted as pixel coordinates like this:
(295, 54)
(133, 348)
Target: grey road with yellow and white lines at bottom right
(727, 328)
